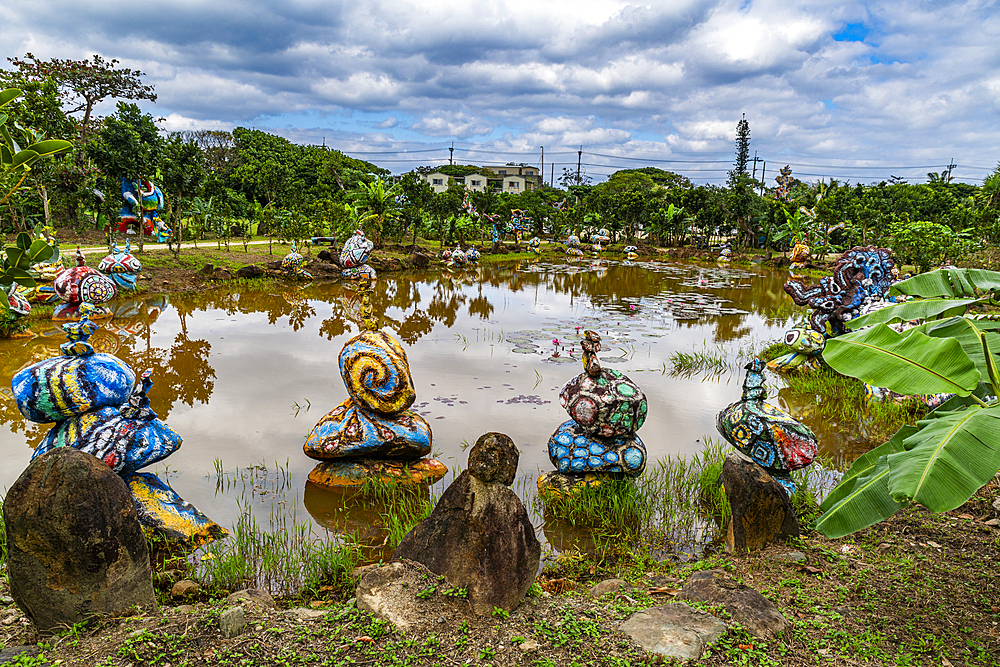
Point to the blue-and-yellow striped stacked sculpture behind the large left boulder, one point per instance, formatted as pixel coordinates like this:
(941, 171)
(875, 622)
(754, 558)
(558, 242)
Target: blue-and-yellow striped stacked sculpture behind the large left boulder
(99, 407)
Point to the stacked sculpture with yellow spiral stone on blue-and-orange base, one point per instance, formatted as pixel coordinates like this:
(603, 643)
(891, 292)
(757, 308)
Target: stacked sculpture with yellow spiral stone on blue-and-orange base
(373, 435)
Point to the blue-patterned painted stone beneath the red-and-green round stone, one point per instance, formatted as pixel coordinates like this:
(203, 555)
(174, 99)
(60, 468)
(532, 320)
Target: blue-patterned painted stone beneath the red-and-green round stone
(571, 449)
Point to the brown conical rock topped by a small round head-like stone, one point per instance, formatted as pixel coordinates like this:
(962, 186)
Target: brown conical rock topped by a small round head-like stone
(479, 535)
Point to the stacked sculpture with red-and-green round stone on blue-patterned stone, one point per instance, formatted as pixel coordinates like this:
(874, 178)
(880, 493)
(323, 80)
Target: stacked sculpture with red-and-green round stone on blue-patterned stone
(606, 409)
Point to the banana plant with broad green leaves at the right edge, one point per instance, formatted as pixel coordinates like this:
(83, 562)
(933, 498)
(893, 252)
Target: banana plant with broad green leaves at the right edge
(945, 458)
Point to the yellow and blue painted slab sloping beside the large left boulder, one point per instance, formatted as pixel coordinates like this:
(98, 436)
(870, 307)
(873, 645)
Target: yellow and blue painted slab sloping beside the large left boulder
(162, 512)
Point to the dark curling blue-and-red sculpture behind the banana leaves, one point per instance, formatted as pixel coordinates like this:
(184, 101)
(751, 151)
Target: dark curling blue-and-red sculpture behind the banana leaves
(860, 276)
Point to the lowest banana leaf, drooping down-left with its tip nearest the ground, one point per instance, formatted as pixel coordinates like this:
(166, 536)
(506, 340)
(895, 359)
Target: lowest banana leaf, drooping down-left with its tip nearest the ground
(867, 503)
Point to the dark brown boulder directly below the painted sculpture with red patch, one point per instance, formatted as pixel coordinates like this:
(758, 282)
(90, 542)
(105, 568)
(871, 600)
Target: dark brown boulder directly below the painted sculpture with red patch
(761, 510)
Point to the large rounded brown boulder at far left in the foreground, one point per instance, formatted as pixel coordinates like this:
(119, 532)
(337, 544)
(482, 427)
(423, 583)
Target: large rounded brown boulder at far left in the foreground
(75, 547)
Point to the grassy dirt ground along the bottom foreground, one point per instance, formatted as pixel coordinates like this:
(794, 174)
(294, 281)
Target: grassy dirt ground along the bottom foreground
(917, 589)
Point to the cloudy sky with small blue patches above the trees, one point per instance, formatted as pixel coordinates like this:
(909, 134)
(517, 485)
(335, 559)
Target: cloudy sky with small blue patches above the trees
(827, 86)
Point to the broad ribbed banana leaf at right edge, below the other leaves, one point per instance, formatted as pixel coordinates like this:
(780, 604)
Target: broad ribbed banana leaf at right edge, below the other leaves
(952, 456)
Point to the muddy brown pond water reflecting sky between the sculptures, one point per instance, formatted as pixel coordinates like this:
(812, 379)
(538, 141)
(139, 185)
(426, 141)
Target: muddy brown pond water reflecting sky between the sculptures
(243, 377)
